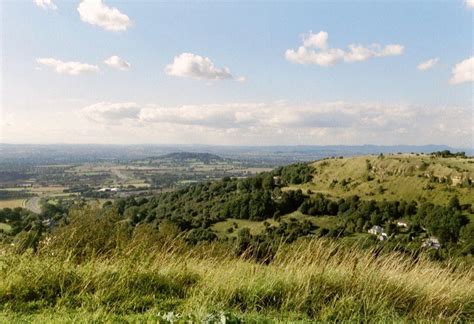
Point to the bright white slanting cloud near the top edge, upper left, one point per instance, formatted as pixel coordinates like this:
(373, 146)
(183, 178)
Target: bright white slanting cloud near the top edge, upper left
(97, 13)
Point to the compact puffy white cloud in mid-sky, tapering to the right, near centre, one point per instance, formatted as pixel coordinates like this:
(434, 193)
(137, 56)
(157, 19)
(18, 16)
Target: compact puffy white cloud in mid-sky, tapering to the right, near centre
(188, 65)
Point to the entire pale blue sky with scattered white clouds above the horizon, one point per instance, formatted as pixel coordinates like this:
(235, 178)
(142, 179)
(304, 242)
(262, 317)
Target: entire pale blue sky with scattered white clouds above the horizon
(253, 73)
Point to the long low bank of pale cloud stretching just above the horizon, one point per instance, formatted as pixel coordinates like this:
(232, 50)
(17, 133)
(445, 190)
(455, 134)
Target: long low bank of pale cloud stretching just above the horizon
(282, 122)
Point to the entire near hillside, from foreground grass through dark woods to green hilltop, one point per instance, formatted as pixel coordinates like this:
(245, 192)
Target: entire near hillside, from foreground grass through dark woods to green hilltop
(255, 249)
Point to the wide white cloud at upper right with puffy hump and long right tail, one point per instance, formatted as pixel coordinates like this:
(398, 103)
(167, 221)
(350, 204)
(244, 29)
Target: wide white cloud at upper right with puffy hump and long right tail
(316, 50)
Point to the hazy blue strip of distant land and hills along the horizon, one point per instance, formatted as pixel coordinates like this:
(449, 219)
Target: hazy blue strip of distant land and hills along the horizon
(28, 154)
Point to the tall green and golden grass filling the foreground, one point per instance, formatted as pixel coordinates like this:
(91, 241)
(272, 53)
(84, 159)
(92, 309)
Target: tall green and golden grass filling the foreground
(308, 280)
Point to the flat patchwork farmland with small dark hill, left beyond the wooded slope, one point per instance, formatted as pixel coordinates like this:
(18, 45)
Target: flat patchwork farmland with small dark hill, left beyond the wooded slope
(28, 185)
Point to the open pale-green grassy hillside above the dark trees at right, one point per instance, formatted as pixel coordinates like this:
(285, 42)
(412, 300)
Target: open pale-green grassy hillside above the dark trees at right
(419, 177)
